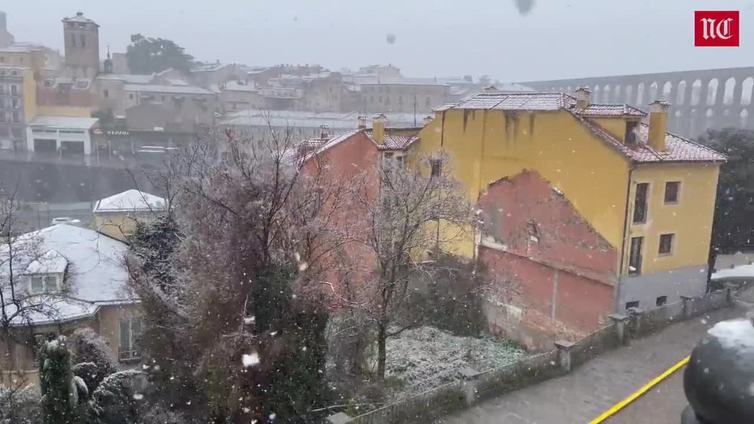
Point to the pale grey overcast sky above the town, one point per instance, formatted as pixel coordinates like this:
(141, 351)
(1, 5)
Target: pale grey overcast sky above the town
(555, 39)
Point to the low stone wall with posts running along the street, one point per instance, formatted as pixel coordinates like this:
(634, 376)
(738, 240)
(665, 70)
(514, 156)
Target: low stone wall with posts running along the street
(476, 386)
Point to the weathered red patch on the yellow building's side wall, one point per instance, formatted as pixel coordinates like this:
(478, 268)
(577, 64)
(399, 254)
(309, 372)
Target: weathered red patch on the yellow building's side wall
(549, 269)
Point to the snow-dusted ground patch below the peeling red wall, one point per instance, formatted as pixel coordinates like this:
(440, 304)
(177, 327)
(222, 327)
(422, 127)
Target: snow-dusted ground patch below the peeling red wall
(426, 357)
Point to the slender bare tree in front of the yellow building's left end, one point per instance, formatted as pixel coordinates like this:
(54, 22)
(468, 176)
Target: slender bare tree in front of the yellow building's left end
(409, 216)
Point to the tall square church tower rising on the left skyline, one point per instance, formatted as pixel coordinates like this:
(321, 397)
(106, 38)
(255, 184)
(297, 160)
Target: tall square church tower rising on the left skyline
(81, 36)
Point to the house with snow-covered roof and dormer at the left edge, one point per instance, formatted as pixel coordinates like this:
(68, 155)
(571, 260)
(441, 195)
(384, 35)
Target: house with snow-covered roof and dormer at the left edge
(68, 277)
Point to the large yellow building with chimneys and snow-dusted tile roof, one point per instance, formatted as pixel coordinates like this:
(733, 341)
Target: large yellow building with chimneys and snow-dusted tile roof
(648, 193)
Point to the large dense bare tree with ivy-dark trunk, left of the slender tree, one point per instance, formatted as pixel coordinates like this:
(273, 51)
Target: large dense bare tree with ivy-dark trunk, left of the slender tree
(243, 279)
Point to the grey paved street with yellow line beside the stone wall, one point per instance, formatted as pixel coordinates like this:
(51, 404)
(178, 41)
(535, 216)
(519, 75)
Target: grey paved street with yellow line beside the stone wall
(604, 381)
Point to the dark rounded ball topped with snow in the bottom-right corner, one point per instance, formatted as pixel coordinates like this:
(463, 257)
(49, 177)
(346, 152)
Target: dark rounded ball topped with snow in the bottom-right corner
(719, 378)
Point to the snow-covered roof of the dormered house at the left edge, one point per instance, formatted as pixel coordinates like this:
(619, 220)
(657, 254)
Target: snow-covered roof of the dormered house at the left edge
(95, 274)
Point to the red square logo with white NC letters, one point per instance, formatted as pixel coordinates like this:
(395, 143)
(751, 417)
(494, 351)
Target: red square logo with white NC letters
(716, 28)
